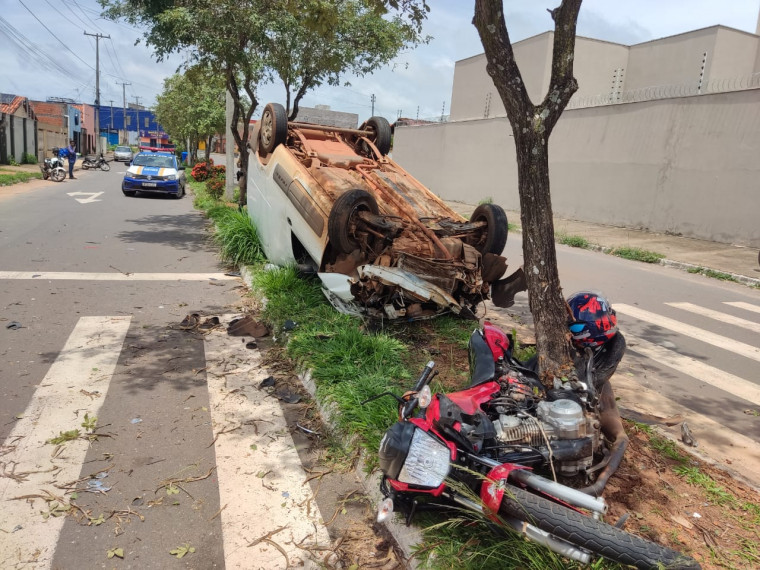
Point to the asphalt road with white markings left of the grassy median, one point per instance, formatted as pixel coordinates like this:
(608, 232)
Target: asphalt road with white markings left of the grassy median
(98, 283)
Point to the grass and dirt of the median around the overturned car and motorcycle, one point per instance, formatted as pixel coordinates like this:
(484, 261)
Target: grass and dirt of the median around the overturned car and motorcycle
(350, 361)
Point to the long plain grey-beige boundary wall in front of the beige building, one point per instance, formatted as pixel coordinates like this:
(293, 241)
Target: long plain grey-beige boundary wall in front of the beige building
(688, 165)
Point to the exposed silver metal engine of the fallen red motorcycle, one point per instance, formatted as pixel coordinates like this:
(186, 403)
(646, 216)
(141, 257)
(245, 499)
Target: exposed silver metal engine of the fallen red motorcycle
(559, 428)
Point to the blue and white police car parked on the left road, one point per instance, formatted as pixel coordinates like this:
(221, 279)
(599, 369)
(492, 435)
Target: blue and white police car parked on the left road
(156, 172)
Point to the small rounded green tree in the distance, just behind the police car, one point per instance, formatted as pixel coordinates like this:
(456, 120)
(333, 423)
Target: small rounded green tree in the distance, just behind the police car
(191, 106)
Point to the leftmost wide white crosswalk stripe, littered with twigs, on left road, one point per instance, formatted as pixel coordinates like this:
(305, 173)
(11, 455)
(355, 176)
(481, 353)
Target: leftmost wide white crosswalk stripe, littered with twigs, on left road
(86, 364)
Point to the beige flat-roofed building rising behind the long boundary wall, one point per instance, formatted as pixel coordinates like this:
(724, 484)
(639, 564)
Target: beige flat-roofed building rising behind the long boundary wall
(602, 68)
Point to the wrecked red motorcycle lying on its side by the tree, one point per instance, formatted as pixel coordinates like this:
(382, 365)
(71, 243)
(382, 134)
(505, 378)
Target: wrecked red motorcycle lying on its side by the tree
(493, 436)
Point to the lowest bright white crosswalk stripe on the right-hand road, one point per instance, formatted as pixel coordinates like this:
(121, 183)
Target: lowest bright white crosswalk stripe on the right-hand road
(690, 366)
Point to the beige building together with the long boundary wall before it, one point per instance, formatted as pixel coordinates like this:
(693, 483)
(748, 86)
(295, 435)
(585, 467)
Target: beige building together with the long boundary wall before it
(663, 135)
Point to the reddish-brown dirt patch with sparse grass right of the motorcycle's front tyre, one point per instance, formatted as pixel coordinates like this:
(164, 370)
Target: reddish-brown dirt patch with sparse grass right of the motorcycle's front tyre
(715, 521)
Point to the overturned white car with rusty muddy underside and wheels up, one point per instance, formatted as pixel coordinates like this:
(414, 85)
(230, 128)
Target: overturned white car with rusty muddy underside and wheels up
(382, 243)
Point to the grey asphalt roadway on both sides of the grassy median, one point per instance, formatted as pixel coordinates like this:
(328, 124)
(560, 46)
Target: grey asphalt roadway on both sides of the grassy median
(98, 283)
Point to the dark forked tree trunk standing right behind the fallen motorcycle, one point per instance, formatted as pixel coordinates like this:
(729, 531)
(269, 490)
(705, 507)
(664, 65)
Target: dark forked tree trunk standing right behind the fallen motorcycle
(531, 127)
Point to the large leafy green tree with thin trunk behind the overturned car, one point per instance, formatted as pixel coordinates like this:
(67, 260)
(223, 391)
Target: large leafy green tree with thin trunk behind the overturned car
(247, 42)
